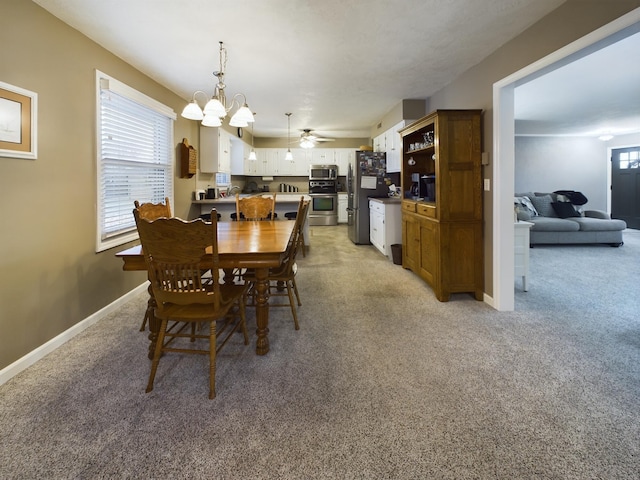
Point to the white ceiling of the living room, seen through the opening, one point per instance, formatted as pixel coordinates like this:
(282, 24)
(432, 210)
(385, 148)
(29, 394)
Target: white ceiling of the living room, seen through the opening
(592, 95)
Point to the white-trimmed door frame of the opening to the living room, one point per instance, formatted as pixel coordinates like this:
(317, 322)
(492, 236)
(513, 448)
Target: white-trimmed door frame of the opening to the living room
(503, 168)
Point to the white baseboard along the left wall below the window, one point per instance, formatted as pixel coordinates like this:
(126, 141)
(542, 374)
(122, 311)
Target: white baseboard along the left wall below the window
(43, 350)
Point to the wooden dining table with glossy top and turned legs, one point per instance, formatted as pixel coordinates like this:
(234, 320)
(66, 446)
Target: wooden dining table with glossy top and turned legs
(258, 245)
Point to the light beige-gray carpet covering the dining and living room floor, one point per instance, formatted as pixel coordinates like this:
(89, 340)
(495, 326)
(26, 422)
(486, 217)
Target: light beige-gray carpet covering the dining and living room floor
(381, 381)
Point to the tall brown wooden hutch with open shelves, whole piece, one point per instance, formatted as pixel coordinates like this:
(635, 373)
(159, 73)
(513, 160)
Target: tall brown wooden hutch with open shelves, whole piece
(442, 229)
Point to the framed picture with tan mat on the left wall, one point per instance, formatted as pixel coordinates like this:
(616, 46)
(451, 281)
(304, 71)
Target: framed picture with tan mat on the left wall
(18, 122)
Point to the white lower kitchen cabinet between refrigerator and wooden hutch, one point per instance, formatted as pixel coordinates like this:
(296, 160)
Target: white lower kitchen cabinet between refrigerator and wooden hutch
(385, 224)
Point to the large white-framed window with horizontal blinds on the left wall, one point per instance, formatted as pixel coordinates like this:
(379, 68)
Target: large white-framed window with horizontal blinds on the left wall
(135, 157)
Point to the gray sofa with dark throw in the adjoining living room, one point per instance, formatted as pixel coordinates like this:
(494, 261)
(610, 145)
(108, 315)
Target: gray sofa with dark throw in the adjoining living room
(559, 220)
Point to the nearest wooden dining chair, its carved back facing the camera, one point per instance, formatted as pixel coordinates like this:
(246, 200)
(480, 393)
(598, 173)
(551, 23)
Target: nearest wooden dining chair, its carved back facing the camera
(176, 252)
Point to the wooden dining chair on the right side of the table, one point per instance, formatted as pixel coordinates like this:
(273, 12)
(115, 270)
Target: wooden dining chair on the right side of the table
(282, 279)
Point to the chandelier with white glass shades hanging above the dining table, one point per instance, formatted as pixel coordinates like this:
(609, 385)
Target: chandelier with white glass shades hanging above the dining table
(216, 107)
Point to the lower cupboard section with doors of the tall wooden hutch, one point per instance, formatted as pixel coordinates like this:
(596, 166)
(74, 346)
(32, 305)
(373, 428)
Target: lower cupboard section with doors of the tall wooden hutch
(448, 256)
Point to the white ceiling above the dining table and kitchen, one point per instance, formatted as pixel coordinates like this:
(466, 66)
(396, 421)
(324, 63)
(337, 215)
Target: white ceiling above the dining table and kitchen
(338, 66)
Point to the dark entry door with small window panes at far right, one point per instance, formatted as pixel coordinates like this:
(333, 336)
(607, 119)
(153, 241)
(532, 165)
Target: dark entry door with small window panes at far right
(625, 185)
